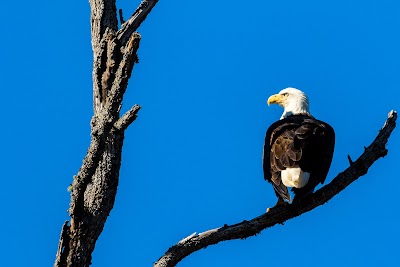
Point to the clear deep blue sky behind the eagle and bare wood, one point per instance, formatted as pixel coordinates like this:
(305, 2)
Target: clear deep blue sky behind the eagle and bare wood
(192, 160)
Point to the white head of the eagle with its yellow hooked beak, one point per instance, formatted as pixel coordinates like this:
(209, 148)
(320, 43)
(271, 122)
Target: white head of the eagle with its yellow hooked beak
(292, 100)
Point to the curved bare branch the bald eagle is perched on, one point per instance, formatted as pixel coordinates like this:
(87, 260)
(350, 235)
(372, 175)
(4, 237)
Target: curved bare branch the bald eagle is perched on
(245, 229)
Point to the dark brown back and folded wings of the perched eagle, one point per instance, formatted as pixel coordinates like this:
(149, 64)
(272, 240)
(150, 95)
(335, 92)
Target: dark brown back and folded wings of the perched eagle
(298, 141)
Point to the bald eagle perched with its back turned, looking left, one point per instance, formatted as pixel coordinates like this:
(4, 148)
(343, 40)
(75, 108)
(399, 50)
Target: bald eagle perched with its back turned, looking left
(298, 148)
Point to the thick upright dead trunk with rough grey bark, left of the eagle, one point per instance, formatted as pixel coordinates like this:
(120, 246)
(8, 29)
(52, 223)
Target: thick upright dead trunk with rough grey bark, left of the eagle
(94, 188)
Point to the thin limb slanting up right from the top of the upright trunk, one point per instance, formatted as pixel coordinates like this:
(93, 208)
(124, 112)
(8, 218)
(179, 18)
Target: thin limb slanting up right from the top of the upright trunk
(135, 20)
